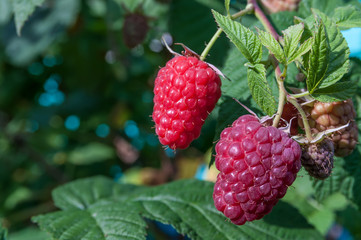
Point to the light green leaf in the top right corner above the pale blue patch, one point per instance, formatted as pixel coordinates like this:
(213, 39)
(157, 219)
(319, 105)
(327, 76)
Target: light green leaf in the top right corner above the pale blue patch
(347, 17)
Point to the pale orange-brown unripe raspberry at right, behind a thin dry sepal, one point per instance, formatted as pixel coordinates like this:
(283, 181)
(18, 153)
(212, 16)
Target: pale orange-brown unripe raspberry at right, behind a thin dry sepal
(324, 116)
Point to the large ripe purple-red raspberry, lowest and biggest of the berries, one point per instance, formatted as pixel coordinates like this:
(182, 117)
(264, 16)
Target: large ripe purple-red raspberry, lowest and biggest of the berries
(256, 164)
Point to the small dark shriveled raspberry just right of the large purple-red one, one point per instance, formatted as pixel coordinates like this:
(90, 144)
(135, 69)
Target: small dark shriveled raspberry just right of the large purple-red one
(317, 158)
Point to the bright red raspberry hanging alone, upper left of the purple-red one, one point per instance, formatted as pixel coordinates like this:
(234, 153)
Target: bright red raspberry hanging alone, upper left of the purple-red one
(186, 90)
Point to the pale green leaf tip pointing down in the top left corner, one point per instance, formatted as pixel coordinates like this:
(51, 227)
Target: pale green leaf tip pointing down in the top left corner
(22, 10)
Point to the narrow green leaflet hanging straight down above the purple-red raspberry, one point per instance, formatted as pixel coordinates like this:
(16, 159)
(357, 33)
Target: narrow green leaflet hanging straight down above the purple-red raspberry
(260, 89)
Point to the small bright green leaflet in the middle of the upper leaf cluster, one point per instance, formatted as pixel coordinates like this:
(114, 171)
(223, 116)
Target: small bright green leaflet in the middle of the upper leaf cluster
(292, 37)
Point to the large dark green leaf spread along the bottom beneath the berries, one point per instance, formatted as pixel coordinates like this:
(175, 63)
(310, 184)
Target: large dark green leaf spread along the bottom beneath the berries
(97, 208)
